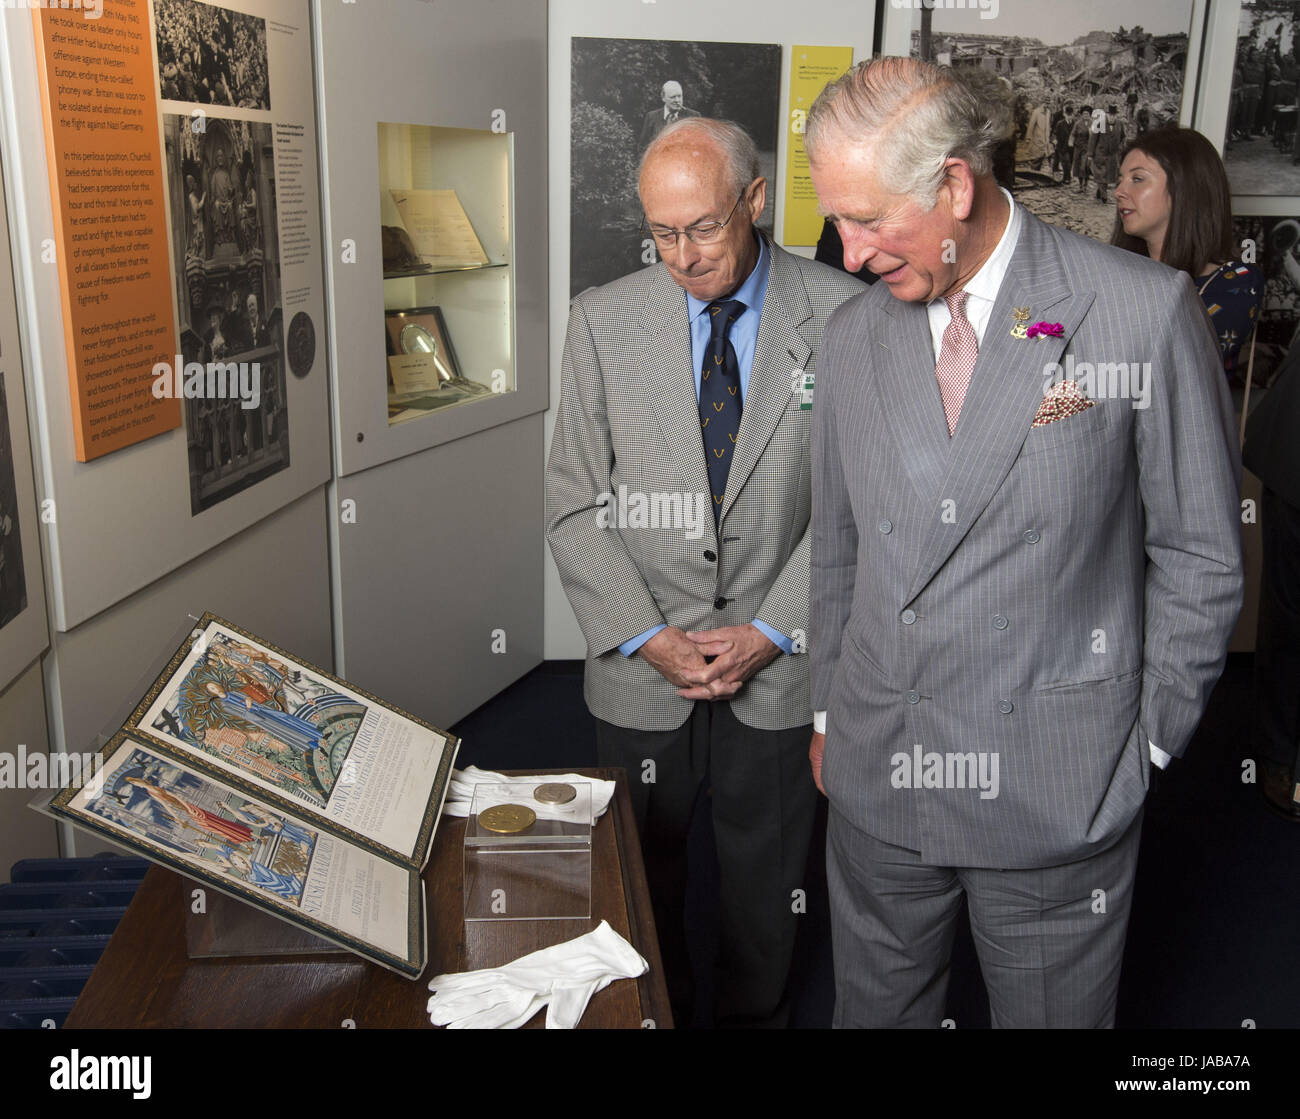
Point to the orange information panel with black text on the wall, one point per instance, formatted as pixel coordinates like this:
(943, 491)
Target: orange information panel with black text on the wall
(106, 167)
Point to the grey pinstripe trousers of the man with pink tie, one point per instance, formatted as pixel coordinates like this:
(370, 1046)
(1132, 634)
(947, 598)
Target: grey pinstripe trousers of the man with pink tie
(1050, 940)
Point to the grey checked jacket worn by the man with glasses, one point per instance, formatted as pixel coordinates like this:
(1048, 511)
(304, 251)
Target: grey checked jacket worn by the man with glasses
(630, 417)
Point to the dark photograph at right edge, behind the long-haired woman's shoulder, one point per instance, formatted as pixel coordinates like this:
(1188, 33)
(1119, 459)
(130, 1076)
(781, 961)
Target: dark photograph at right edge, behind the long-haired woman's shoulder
(1275, 242)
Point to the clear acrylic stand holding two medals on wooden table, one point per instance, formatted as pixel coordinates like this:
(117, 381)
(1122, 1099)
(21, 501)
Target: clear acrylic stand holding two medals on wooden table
(528, 852)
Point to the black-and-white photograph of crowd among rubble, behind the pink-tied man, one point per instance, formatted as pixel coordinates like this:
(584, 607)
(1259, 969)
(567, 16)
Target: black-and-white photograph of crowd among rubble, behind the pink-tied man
(1080, 83)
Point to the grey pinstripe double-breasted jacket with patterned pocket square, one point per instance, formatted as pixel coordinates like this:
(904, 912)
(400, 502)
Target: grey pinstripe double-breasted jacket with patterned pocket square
(1056, 596)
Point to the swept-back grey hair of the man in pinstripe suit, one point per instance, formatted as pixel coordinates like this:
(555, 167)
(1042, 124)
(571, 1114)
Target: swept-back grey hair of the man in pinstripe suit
(915, 116)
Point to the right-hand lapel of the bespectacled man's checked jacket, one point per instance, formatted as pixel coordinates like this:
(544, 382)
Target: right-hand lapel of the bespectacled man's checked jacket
(779, 352)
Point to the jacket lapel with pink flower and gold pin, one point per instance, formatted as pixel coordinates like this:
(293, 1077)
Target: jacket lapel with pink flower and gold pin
(1004, 396)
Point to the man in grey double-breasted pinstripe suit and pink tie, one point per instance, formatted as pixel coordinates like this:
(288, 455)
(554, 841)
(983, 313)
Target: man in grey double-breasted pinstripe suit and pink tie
(1019, 611)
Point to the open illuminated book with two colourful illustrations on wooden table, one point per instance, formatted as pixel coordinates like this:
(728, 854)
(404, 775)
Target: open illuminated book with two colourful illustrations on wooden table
(279, 784)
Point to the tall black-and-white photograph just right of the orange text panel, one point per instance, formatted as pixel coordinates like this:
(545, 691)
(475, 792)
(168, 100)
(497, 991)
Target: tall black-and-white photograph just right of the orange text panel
(226, 242)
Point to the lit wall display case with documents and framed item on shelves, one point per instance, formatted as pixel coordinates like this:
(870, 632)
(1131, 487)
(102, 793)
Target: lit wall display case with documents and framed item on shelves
(448, 267)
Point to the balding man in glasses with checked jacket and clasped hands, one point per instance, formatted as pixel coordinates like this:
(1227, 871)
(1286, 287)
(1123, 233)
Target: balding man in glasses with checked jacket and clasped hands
(691, 585)
